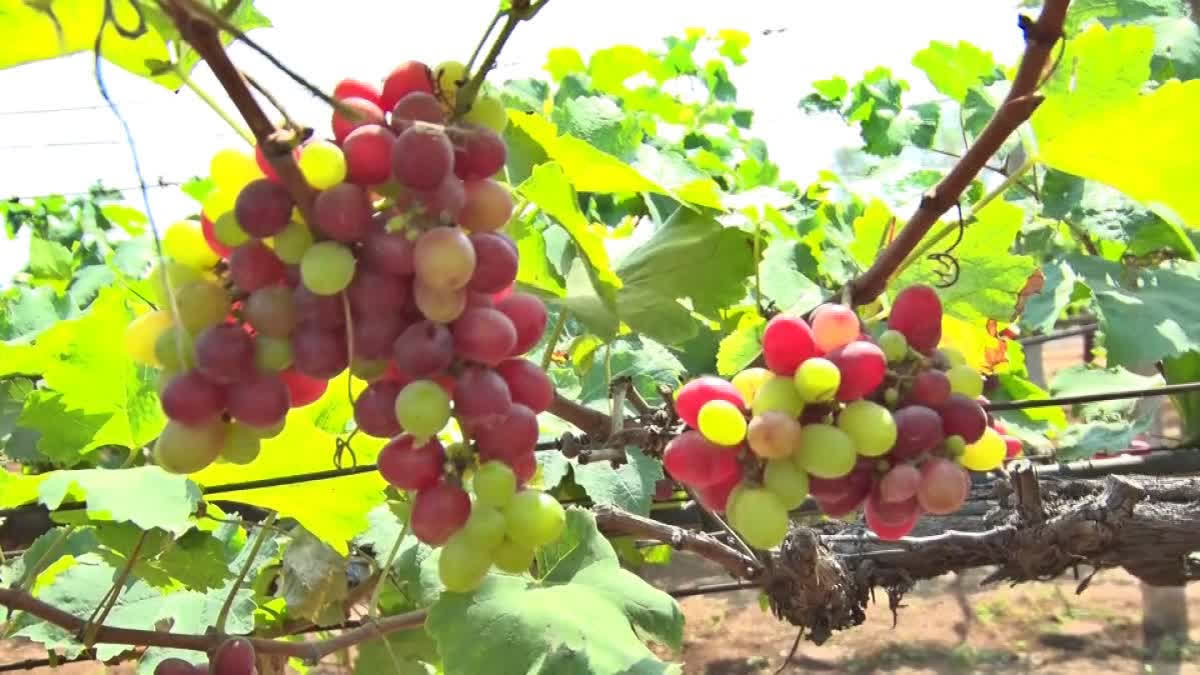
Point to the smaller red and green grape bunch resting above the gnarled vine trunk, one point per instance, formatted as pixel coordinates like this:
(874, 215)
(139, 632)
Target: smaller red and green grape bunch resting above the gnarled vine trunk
(892, 425)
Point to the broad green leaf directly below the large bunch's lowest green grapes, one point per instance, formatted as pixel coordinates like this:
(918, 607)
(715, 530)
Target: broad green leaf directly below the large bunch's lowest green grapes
(518, 625)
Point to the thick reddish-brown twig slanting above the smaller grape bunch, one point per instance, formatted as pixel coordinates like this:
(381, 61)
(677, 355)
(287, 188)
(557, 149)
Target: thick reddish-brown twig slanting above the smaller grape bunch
(1023, 99)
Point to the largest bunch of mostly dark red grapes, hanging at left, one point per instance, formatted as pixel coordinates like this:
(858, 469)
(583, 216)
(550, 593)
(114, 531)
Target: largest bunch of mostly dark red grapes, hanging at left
(404, 277)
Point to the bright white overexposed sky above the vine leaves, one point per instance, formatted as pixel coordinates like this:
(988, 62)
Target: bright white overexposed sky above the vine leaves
(57, 135)
